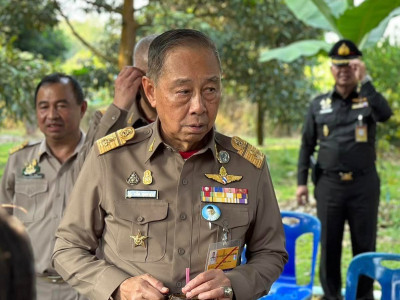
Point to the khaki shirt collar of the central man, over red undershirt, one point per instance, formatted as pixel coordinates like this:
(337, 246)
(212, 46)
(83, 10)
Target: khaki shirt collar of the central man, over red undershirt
(155, 142)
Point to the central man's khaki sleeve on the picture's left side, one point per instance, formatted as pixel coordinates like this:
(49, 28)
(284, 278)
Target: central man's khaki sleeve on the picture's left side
(78, 235)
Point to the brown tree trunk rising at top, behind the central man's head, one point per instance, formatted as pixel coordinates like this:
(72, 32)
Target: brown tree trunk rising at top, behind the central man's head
(128, 35)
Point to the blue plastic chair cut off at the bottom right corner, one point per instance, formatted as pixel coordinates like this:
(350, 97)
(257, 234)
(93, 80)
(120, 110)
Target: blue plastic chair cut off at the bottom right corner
(370, 264)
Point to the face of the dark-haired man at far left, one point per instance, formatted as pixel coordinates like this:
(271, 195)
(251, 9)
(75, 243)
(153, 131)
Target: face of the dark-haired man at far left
(58, 114)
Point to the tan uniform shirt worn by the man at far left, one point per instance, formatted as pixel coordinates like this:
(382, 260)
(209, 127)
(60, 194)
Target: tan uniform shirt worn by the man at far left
(44, 199)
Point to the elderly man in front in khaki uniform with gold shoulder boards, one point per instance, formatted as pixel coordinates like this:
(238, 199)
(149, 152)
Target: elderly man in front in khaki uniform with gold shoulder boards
(144, 193)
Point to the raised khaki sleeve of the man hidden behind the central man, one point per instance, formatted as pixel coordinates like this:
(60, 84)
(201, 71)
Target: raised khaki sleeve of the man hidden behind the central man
(100, 125)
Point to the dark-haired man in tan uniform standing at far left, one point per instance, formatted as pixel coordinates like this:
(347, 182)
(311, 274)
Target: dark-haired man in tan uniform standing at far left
(37, 178)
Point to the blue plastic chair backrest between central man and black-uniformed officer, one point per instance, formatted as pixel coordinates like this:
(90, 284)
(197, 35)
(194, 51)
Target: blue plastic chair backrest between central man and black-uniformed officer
(305, 223)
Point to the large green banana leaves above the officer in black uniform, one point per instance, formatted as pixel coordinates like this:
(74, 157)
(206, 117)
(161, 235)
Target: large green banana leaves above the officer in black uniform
(364, 24)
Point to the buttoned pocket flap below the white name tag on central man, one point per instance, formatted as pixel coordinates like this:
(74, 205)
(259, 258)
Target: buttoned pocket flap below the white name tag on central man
(141, 211)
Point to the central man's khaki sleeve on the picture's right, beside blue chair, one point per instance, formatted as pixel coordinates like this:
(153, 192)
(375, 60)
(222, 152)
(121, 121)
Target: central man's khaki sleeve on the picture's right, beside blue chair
(266, 253)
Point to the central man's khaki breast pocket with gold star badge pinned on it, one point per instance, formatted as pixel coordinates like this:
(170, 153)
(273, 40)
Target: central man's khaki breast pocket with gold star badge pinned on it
(142, 218)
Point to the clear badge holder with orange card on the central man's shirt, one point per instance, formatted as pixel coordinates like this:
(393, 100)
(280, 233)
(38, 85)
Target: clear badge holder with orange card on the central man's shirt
(223, 255)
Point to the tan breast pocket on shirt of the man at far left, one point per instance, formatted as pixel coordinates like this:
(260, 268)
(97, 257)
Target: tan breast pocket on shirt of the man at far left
(30, 199)
